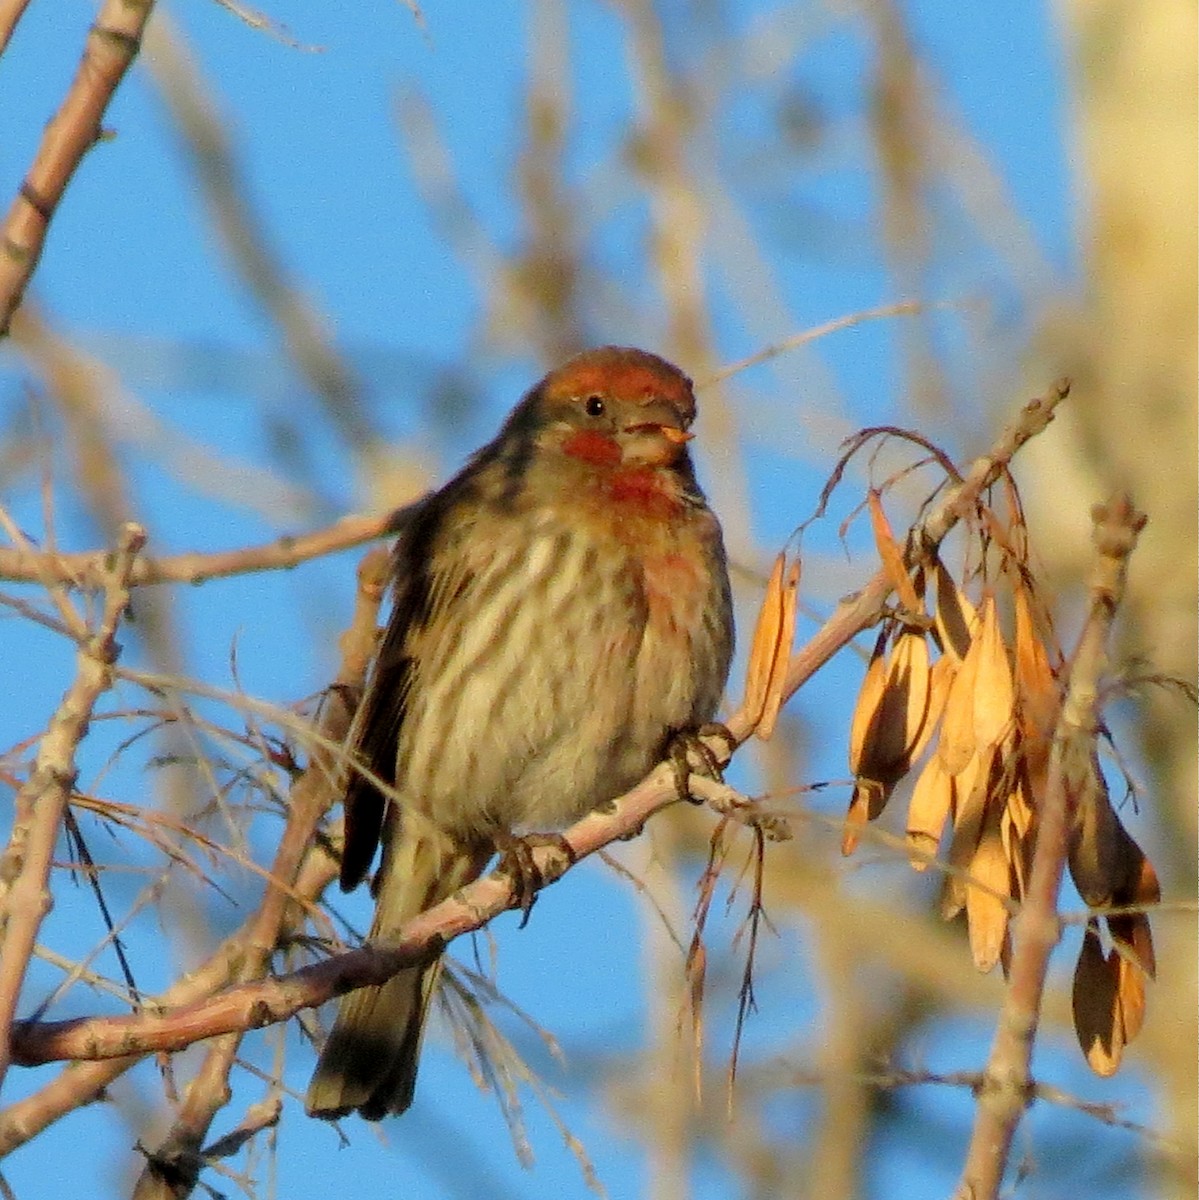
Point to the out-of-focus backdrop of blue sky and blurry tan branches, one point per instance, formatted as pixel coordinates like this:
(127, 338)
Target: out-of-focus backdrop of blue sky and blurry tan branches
(322, 256)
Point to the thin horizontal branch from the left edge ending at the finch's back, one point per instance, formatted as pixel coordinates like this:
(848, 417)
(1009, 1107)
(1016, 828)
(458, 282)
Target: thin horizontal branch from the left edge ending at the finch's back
(87, 569)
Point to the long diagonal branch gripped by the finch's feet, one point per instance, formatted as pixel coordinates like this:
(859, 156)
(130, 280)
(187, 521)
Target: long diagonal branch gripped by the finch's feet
(255, 1005)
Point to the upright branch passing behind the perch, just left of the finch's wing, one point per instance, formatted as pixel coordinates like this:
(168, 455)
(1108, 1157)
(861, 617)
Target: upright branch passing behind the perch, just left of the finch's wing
(173, 1169)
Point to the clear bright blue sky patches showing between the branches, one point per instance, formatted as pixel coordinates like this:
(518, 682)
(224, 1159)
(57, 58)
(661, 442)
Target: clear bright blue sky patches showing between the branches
(134, 275)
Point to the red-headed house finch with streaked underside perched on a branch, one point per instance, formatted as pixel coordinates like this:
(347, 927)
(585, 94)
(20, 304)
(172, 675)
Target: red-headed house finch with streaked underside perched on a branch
(561, 613)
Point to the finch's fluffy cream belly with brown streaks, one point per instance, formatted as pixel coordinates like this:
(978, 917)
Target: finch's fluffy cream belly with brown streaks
(559, 693)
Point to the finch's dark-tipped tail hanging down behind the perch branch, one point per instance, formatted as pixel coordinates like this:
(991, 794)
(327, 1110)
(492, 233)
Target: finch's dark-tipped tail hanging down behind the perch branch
(369, 1063)
